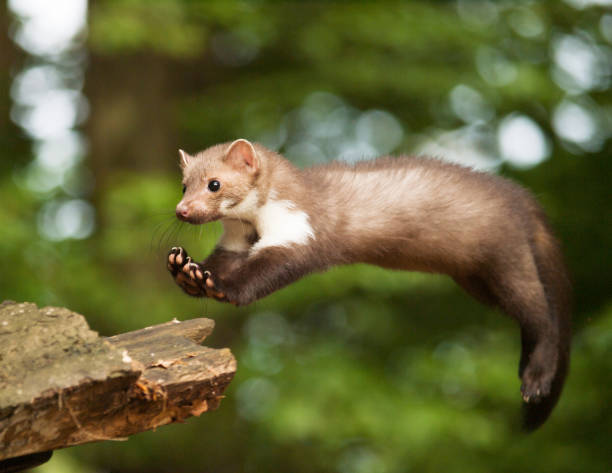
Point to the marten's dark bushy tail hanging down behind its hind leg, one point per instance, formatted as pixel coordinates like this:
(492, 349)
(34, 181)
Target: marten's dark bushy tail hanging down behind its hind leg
(557, 288)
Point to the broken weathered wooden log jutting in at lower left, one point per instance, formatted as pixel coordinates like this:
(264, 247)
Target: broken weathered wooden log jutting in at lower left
(61, 384)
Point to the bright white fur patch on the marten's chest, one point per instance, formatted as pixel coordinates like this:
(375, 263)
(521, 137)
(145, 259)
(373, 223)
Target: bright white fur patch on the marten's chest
(280, 223)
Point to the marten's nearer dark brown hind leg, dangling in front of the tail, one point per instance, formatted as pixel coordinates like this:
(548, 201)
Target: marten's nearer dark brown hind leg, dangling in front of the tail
(521, 295)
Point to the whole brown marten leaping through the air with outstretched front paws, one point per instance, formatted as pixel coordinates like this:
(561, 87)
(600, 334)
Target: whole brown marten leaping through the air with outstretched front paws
(281, 223)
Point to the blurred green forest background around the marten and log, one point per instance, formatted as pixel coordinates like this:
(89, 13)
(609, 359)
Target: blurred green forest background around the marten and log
(359, 370)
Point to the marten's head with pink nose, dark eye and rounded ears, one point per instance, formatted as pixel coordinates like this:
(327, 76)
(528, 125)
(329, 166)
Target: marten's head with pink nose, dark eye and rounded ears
(219, 182)
